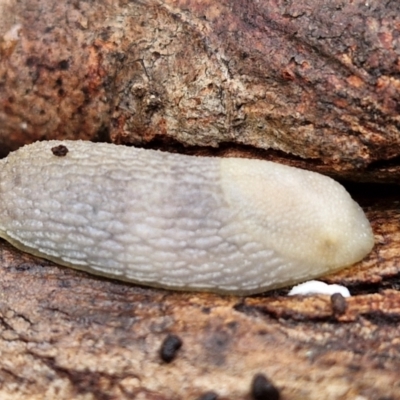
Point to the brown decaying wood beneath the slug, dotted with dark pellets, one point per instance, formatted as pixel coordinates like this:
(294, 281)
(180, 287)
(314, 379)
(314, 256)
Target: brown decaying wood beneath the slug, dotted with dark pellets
(68, 335)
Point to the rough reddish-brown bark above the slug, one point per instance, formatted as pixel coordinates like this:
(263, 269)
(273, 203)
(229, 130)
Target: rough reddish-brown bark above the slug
(317, 81)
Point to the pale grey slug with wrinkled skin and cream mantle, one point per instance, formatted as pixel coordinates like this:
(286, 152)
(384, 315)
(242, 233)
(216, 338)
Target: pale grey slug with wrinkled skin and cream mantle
(228, 225)
